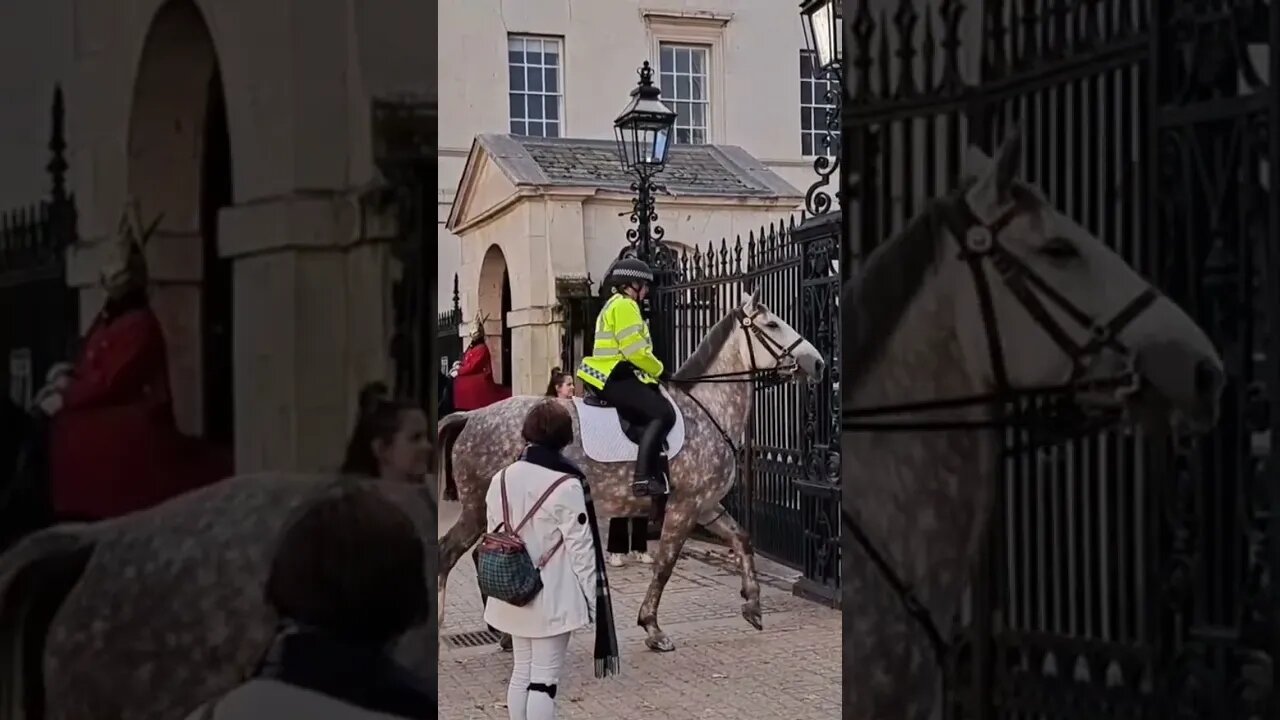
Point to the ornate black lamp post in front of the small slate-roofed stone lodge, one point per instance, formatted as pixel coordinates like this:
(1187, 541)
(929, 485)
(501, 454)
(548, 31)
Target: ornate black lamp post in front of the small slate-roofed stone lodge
(643, 134)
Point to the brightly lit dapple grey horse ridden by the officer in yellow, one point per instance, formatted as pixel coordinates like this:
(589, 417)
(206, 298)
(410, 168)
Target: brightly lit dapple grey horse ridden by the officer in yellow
(747, 341)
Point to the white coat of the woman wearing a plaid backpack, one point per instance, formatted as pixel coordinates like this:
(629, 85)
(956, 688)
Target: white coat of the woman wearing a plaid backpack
(568, 599)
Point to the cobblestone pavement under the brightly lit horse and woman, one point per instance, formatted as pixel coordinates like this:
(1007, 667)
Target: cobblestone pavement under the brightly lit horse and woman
(721, 669)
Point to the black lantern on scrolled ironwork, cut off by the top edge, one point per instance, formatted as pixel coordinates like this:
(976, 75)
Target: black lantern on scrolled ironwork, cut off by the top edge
(824, 31)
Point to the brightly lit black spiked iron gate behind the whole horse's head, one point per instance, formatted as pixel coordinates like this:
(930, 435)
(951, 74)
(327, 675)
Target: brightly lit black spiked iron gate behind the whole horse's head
(787, 494)
